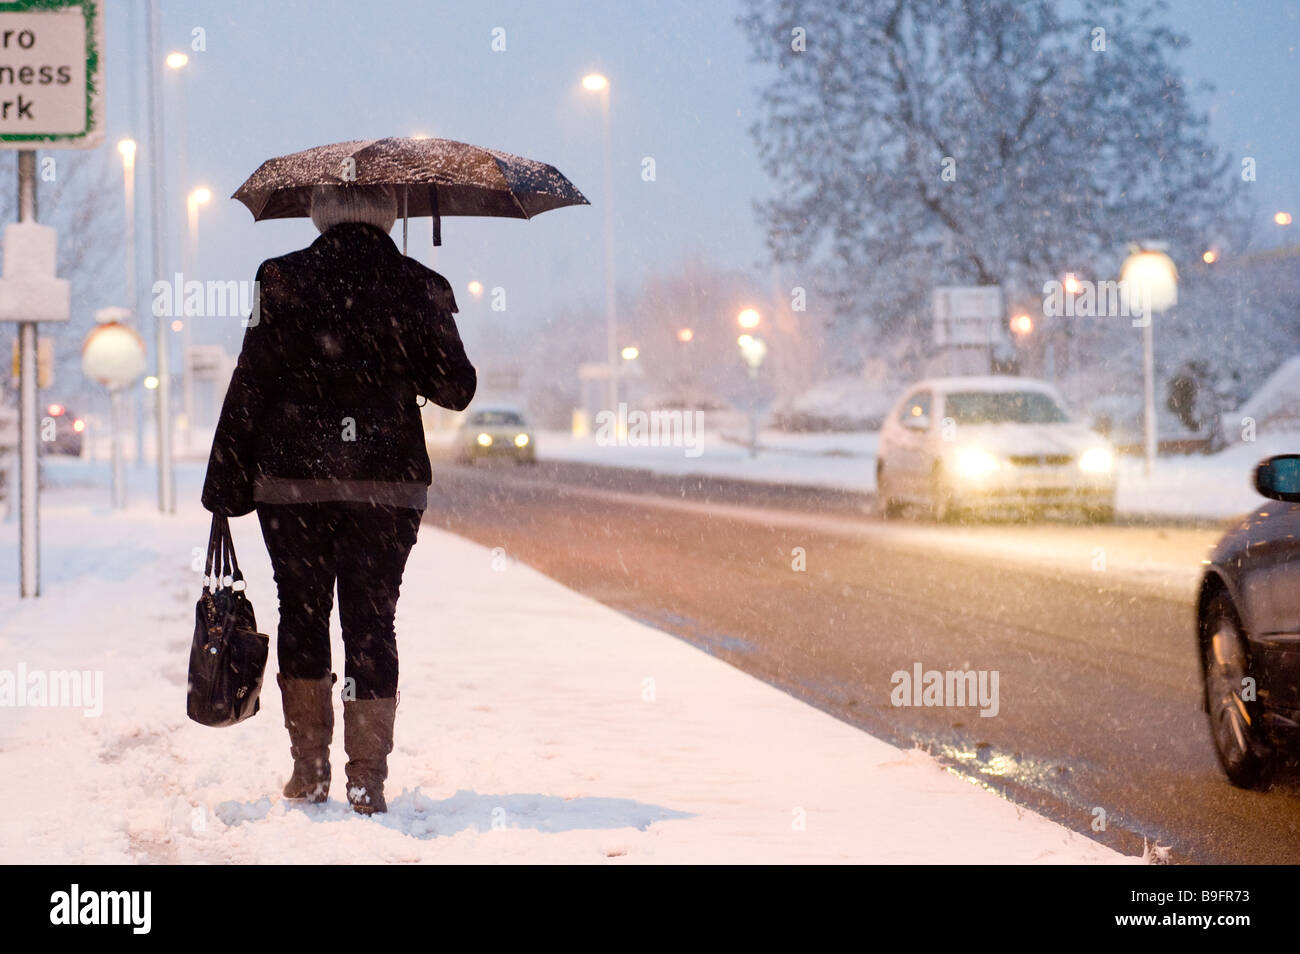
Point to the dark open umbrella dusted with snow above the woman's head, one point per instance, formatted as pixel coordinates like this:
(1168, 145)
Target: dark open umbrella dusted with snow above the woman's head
(435, 177)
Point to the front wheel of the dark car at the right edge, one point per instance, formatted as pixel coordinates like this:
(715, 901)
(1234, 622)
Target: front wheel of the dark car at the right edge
(1240, 738)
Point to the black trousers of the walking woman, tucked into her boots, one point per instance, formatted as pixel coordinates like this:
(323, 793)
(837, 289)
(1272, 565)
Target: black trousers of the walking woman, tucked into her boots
(363, 549)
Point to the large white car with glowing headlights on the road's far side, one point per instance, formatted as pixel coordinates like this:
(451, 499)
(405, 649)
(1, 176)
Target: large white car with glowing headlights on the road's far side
(991, 444)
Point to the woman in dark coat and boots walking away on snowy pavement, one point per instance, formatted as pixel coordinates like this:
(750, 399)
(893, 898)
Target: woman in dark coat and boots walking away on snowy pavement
(322, 435)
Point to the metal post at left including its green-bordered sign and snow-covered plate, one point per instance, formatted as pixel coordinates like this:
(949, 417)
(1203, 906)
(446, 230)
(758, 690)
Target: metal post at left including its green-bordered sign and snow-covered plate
(63, 41)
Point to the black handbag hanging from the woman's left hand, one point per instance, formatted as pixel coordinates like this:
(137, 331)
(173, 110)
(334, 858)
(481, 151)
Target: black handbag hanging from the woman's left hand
(228, 657)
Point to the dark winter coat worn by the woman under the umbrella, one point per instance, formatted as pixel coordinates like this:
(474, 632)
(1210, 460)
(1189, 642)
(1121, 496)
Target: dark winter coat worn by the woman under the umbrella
(323, 401)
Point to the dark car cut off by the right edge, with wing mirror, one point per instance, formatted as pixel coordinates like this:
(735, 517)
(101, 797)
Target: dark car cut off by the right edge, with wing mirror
(1249, 631)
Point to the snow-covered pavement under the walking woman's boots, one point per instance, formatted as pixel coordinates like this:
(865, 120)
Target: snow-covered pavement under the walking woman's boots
(535, 726)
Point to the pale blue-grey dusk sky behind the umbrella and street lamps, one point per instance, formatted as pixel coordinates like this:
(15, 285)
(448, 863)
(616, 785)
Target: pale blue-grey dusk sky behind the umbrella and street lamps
(283, 77)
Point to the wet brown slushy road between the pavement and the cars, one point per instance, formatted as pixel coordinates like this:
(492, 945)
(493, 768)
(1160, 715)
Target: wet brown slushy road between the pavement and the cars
(1090, 630)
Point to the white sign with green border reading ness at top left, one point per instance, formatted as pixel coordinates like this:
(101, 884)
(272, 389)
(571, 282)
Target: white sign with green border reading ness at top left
(50, 75)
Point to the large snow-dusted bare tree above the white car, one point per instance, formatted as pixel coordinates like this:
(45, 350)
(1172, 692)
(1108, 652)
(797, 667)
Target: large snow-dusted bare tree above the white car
(990, 142)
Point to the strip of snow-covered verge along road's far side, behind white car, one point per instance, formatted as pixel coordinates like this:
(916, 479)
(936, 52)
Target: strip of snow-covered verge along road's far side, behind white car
(1210, 487)
